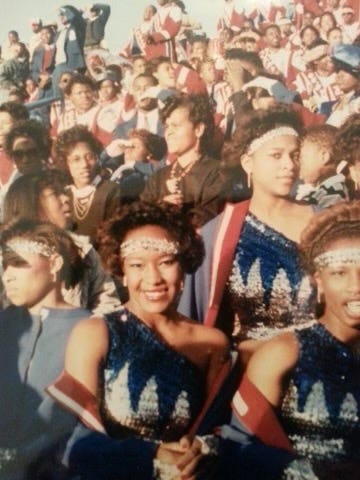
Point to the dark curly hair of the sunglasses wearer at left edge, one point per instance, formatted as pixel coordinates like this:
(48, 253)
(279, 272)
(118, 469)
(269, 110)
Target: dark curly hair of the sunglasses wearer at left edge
(33, 130)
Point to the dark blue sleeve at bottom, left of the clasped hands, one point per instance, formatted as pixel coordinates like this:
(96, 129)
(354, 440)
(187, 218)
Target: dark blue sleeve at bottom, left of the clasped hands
(95, 456)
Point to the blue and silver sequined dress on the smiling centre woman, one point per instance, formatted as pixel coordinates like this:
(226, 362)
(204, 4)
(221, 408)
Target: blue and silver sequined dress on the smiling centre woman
(148, 389)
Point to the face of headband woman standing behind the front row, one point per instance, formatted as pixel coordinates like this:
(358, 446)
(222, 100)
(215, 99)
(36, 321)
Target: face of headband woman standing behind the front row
(274, 165)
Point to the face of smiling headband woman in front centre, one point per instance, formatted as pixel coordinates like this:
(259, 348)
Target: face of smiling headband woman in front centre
(153, 277)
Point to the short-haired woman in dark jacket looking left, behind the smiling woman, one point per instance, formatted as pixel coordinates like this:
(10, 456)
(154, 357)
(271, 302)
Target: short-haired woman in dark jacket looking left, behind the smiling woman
(193, 180)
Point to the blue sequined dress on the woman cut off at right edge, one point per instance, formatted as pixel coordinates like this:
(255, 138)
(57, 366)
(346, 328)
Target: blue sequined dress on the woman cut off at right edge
(321, 407)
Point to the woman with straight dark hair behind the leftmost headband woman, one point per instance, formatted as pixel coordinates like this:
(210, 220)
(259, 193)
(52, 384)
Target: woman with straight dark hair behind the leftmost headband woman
(44, 197)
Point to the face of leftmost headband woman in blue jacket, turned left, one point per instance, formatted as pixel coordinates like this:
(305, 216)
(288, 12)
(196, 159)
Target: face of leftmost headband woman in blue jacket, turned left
(27, 283)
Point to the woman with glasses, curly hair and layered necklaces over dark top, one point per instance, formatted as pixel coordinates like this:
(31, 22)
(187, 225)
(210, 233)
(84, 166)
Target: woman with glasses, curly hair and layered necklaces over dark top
(92, 198)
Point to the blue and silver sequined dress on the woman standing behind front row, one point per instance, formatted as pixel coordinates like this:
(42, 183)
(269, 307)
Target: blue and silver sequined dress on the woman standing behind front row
(268, 288)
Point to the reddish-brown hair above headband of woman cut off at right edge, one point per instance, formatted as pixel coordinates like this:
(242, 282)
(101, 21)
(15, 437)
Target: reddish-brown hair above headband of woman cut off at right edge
(341, 221)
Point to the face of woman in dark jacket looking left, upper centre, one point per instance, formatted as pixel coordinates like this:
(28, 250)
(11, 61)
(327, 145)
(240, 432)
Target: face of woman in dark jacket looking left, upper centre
(181, 134)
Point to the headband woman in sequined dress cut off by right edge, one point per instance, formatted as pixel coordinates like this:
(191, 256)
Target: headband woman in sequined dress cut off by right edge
(305, 383)
